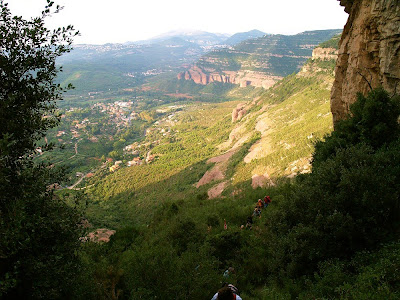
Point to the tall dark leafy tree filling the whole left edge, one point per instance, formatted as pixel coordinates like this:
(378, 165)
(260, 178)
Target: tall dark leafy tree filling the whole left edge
(39, 235)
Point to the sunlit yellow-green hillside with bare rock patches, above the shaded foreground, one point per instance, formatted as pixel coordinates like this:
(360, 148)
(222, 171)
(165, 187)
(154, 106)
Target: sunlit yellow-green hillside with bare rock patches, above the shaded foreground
(247, 145)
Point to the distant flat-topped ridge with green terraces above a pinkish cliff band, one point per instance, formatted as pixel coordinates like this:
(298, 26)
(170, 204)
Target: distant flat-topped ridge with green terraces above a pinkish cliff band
(259, 62)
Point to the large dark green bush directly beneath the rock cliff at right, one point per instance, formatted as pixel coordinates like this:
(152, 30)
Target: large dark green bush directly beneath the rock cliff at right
(350, 201)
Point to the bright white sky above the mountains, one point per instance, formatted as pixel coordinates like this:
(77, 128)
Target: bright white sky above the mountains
(119, 21)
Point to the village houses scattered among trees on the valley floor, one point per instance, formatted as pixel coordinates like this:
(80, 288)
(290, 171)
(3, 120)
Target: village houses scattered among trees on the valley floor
(120, 114)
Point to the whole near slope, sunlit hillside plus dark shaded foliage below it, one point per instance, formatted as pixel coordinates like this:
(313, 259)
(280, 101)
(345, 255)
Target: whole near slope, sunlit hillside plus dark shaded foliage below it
(211, 162)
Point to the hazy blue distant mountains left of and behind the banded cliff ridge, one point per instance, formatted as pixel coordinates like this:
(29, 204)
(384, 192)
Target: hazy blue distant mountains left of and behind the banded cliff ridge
(114, 66)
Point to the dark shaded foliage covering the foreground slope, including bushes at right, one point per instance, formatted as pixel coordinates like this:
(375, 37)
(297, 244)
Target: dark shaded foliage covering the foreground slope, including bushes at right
(330, 234)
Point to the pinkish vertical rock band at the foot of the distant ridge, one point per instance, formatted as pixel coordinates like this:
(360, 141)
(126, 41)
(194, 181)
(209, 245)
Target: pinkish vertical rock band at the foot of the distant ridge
(242, 78)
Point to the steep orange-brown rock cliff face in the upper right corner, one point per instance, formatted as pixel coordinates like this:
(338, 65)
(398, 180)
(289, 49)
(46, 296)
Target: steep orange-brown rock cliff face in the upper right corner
(369, 52)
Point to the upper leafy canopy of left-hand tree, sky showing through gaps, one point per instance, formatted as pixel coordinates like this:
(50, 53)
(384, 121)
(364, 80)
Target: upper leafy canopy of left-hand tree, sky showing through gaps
(28, 52)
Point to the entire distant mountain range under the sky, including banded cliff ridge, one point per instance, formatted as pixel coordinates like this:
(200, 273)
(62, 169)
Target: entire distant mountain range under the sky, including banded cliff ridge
(214, 57)
